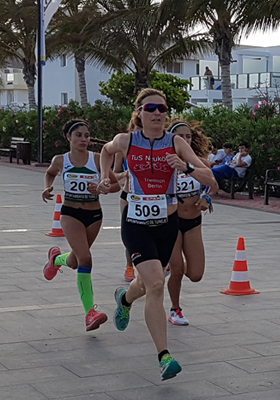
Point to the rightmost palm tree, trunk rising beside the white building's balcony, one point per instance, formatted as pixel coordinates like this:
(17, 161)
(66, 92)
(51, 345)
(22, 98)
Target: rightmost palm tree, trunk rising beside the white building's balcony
(224, 22)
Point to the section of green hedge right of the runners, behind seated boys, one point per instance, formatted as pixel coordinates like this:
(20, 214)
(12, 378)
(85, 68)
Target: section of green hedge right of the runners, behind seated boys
(259, 127)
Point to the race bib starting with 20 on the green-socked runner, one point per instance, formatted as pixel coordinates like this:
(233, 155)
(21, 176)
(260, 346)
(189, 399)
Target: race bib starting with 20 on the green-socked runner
(76, 186)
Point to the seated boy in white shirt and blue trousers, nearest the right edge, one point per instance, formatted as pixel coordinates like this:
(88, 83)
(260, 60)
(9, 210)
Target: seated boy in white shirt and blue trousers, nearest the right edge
(237, 166)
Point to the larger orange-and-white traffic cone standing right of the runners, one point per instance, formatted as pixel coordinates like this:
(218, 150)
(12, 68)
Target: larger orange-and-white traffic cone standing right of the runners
(239, 284)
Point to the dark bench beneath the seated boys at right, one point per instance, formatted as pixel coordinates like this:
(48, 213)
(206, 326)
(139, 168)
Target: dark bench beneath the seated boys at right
(237, 183)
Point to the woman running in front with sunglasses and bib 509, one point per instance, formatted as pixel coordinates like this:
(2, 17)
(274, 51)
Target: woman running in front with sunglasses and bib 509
(150, 222)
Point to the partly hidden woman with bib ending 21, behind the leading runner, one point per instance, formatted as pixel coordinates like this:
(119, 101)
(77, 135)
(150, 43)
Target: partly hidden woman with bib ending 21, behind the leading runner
(188, 253)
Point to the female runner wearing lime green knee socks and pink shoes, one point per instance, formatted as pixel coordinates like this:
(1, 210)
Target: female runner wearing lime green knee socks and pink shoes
(81, 214)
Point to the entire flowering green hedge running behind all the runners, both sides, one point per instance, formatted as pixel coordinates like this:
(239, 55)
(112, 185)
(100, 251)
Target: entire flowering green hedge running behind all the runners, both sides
(260, 127)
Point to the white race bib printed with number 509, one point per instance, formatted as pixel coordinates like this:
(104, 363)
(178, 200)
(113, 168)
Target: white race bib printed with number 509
(147, 209)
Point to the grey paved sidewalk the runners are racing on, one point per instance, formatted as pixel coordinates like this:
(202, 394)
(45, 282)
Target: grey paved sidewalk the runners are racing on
(230, 350)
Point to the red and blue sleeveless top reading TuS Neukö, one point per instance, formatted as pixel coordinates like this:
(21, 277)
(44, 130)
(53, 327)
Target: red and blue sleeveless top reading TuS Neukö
(149, 172)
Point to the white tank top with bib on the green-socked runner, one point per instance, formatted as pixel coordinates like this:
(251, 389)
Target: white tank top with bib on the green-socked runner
(75, 179)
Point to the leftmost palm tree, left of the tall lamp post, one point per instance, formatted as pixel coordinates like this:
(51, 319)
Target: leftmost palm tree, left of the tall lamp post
(18, 25)
